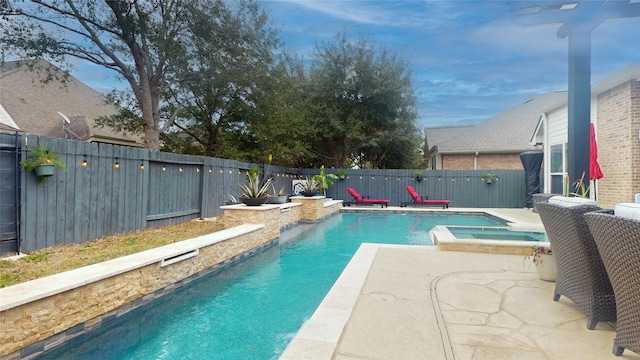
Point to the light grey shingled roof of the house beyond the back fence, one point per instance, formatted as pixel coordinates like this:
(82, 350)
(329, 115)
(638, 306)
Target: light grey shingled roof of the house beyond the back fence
(507, 132)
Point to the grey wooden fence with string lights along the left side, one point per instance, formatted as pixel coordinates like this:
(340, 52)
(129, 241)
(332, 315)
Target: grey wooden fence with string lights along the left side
(109, 189)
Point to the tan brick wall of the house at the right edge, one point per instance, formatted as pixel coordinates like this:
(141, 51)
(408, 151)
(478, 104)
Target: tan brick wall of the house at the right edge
(618, 143)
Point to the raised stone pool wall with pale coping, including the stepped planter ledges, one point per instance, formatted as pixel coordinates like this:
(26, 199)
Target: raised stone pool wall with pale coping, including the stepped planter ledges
(41, 314)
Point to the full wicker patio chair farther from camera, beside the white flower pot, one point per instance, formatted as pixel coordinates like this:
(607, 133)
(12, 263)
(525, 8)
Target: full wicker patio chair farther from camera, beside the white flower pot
(581, 275)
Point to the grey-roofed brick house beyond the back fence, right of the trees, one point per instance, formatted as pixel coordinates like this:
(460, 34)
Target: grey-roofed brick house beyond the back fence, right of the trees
(493, 144)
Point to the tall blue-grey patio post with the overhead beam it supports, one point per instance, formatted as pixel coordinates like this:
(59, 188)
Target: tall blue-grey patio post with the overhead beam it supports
(578, 19)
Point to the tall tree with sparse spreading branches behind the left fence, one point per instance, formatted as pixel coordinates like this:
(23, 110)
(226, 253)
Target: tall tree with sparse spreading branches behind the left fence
(142, 41)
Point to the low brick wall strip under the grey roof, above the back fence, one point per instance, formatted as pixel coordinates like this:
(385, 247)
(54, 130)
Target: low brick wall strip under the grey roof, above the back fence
(484, 161)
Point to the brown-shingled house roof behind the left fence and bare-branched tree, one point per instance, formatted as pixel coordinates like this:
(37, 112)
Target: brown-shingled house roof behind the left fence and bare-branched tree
(30, 106)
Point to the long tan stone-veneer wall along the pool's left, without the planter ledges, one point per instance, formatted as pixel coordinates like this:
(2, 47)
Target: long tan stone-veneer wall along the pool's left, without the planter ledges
(35, 326)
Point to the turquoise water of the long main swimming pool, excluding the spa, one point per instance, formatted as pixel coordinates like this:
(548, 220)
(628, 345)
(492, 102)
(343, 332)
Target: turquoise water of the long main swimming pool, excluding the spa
(253, 309)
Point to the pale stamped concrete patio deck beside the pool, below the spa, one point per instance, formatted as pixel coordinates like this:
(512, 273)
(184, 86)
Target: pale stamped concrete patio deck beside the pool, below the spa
(417, 302)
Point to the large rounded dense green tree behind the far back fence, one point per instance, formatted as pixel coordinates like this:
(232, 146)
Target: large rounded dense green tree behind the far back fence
(360, 98)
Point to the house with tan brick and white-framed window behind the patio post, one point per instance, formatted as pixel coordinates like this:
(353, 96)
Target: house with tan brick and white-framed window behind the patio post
(615, 113)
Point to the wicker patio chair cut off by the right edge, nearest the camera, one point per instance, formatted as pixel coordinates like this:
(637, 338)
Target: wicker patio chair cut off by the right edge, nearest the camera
(618, 240)
